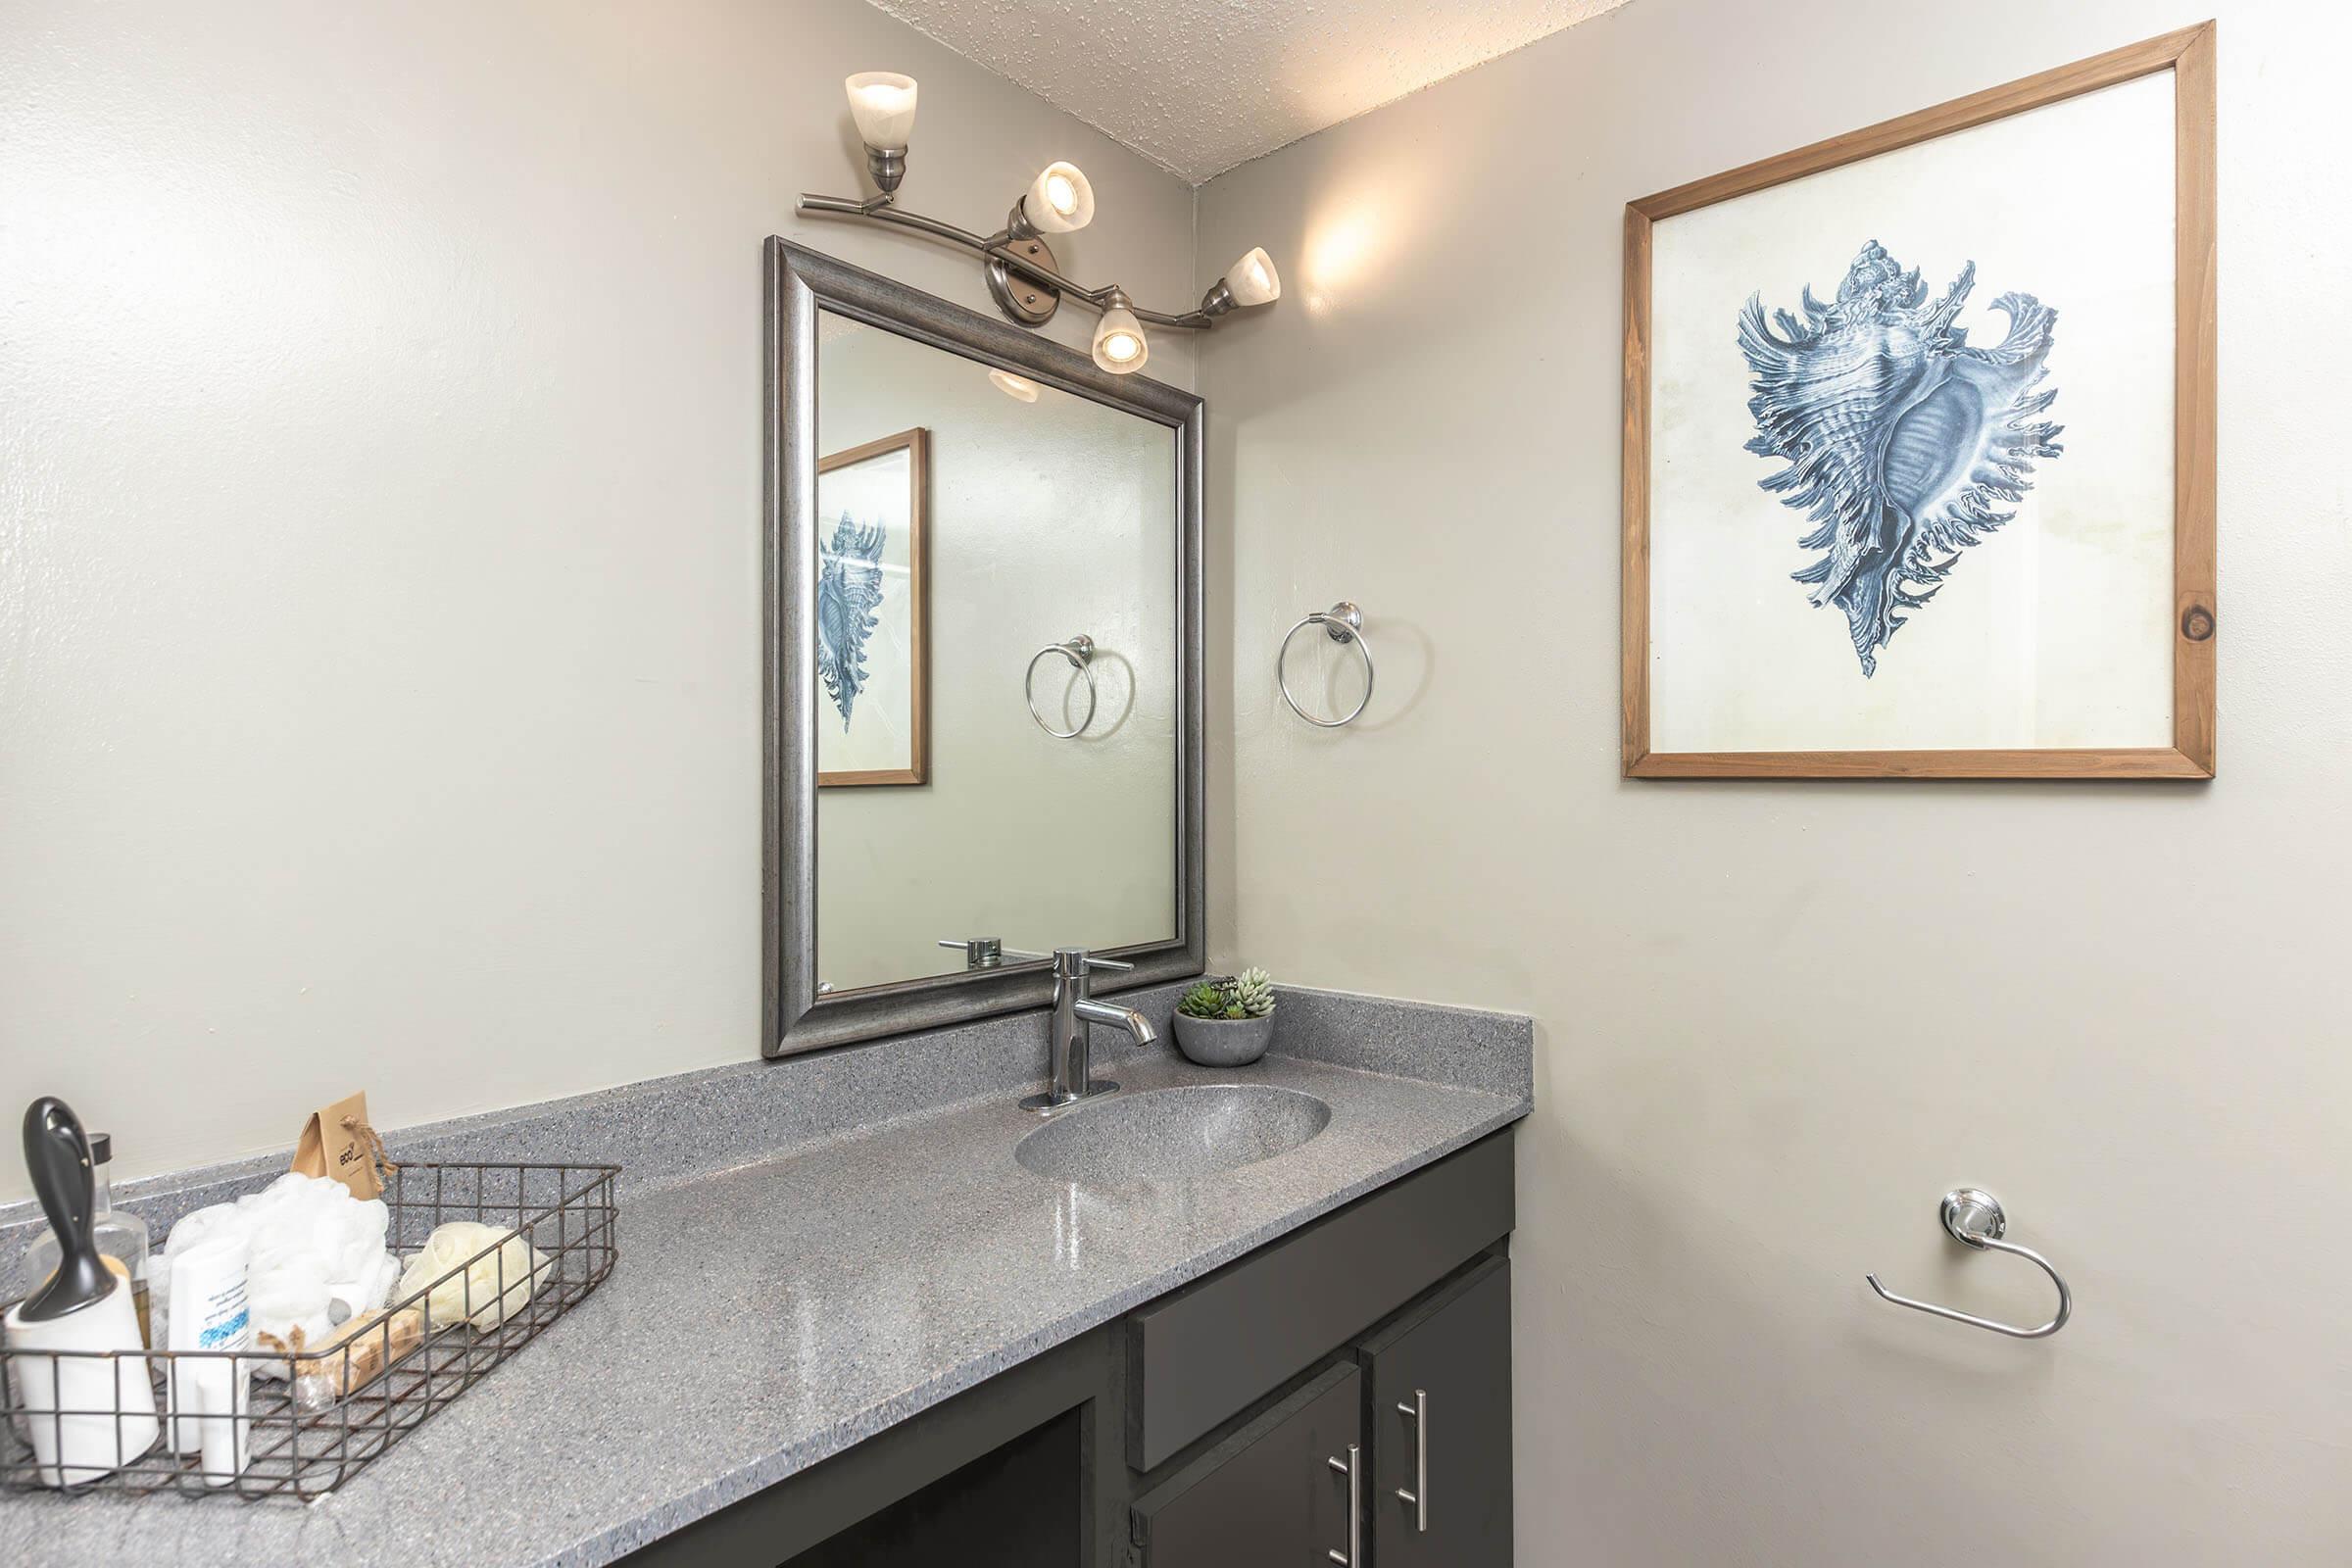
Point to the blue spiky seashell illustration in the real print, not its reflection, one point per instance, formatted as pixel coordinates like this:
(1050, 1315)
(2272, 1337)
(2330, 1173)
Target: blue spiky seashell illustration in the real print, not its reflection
(1902, 443)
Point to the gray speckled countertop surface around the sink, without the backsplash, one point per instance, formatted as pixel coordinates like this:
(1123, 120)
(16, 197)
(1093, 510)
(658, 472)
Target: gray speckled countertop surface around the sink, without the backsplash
(777, 1313)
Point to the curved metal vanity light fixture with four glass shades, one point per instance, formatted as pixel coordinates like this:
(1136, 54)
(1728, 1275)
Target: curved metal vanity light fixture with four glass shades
(1024, 274)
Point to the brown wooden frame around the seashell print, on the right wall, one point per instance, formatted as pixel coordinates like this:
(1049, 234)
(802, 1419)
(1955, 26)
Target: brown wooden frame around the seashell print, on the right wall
(2189, 55)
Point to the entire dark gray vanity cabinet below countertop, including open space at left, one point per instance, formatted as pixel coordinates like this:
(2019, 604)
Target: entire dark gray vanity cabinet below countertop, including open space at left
(1248, 1419)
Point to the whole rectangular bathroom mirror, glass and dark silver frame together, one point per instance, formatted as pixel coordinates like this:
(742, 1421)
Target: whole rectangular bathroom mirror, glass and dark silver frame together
(982, 662)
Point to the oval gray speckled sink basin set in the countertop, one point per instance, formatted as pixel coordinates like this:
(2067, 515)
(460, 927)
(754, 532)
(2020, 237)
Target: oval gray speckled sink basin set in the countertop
(1172, 1134)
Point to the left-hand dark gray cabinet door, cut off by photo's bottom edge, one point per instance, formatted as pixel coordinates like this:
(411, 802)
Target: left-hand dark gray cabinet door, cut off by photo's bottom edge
(1276, 1492)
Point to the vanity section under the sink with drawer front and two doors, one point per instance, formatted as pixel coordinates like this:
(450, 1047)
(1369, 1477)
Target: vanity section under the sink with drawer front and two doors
(1389, 1306)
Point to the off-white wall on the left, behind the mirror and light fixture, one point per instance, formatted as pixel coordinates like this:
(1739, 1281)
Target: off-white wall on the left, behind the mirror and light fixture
(380, 530)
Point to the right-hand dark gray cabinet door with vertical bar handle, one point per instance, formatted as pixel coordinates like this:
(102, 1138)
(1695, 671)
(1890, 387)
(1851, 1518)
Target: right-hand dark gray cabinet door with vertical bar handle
(1438, 1395)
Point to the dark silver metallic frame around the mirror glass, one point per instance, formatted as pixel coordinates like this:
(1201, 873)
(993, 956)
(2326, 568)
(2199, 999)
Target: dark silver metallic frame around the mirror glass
(794, 1017)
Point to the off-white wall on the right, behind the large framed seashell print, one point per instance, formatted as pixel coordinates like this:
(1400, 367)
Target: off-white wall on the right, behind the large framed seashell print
(1777, 1021)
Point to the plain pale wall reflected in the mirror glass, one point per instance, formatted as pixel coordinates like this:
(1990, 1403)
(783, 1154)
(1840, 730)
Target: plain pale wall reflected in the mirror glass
(1048, 518)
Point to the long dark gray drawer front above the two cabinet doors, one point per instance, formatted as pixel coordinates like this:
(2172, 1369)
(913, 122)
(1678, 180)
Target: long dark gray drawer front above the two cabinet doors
(1203, 1353)
